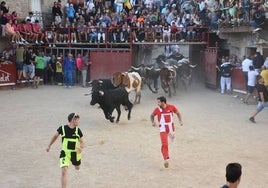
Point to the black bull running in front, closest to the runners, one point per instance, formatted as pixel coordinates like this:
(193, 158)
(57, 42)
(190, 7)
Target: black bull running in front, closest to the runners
(110, 100)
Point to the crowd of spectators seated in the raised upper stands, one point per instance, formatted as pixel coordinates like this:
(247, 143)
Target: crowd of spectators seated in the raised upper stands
(96, 21)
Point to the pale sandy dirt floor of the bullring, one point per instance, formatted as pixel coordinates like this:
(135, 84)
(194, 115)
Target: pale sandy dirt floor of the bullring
(216, 131)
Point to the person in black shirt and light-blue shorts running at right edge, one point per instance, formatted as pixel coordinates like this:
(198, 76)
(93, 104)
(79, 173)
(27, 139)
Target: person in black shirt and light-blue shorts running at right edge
(263, 98)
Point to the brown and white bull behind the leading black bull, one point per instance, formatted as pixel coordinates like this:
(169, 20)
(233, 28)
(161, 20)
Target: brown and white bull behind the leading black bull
(131, 81)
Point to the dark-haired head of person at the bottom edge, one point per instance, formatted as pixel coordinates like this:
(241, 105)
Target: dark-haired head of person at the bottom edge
(233, 175)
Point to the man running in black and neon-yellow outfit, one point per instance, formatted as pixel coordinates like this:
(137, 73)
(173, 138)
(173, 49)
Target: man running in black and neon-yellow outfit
(72, 146)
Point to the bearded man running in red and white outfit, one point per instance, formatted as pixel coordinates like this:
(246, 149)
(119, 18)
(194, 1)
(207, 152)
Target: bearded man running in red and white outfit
(164, 113)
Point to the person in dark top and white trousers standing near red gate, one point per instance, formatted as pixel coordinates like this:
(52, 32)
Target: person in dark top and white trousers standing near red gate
(226, 69)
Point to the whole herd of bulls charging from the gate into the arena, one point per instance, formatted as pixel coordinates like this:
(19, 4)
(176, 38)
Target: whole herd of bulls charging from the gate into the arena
(110, 94)
